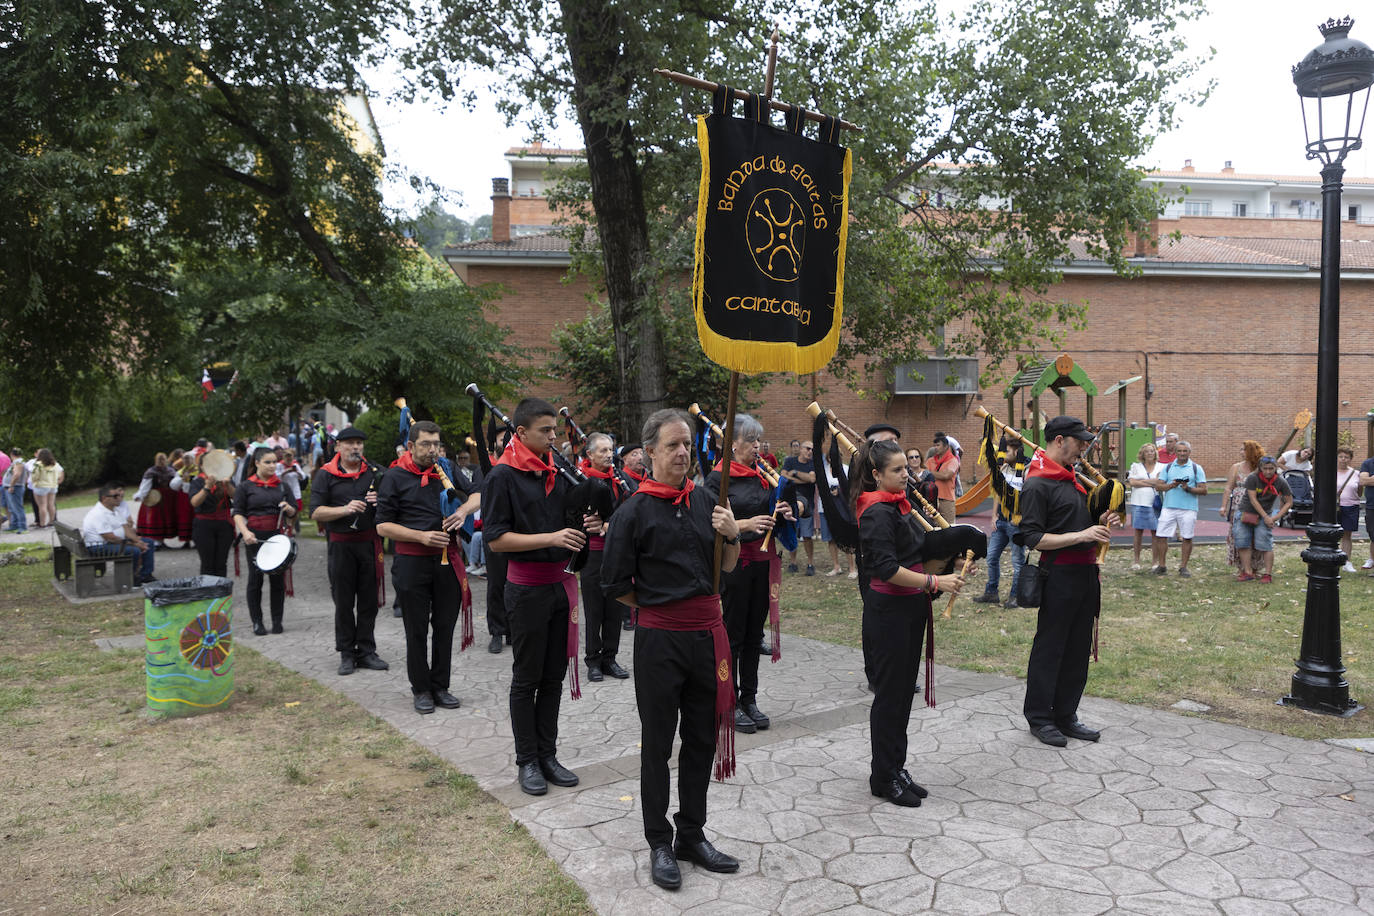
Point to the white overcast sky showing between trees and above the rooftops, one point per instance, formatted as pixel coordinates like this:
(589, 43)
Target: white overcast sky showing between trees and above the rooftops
(1251, 119)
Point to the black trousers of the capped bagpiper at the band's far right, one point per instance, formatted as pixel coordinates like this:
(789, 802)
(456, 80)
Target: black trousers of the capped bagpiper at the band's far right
(1059, 668)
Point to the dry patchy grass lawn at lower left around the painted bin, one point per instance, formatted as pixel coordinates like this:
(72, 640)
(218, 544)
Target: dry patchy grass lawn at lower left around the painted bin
(292, 800)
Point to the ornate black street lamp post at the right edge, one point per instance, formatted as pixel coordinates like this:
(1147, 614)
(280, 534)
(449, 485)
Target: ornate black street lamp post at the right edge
(1333, 84)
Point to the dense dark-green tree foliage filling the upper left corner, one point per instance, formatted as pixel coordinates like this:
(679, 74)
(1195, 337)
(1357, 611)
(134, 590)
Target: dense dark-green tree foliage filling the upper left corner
(237, 209)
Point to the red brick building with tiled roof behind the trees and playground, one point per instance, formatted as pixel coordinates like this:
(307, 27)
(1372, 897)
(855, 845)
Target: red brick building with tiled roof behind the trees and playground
(1221, 322)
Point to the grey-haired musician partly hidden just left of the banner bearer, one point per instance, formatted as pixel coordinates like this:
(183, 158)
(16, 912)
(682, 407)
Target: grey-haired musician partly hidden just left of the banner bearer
(604, 617)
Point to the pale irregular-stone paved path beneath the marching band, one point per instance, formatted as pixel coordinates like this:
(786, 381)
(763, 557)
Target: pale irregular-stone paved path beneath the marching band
(1167, 815)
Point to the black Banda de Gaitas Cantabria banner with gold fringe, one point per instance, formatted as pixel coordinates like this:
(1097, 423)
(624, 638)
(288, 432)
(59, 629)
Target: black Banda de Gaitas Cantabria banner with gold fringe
(773, 218)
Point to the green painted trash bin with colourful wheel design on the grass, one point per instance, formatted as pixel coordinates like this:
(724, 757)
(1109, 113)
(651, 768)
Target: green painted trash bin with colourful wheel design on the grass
(189, 645)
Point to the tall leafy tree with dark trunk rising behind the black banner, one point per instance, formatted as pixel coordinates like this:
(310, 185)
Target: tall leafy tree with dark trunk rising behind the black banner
(1041, 108)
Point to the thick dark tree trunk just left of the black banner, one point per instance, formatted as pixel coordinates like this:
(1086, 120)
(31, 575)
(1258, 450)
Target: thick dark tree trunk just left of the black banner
(594, 41)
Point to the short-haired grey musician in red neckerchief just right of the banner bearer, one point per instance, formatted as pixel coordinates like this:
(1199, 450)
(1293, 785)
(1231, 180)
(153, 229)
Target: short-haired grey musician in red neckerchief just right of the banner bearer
(750, 594)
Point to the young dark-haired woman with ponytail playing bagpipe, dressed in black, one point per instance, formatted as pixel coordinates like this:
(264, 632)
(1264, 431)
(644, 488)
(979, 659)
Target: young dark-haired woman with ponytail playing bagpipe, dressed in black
(898, 615)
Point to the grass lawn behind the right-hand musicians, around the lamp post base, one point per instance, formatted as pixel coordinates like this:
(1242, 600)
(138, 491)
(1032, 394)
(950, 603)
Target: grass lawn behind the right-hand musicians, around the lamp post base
(1210, 639)
